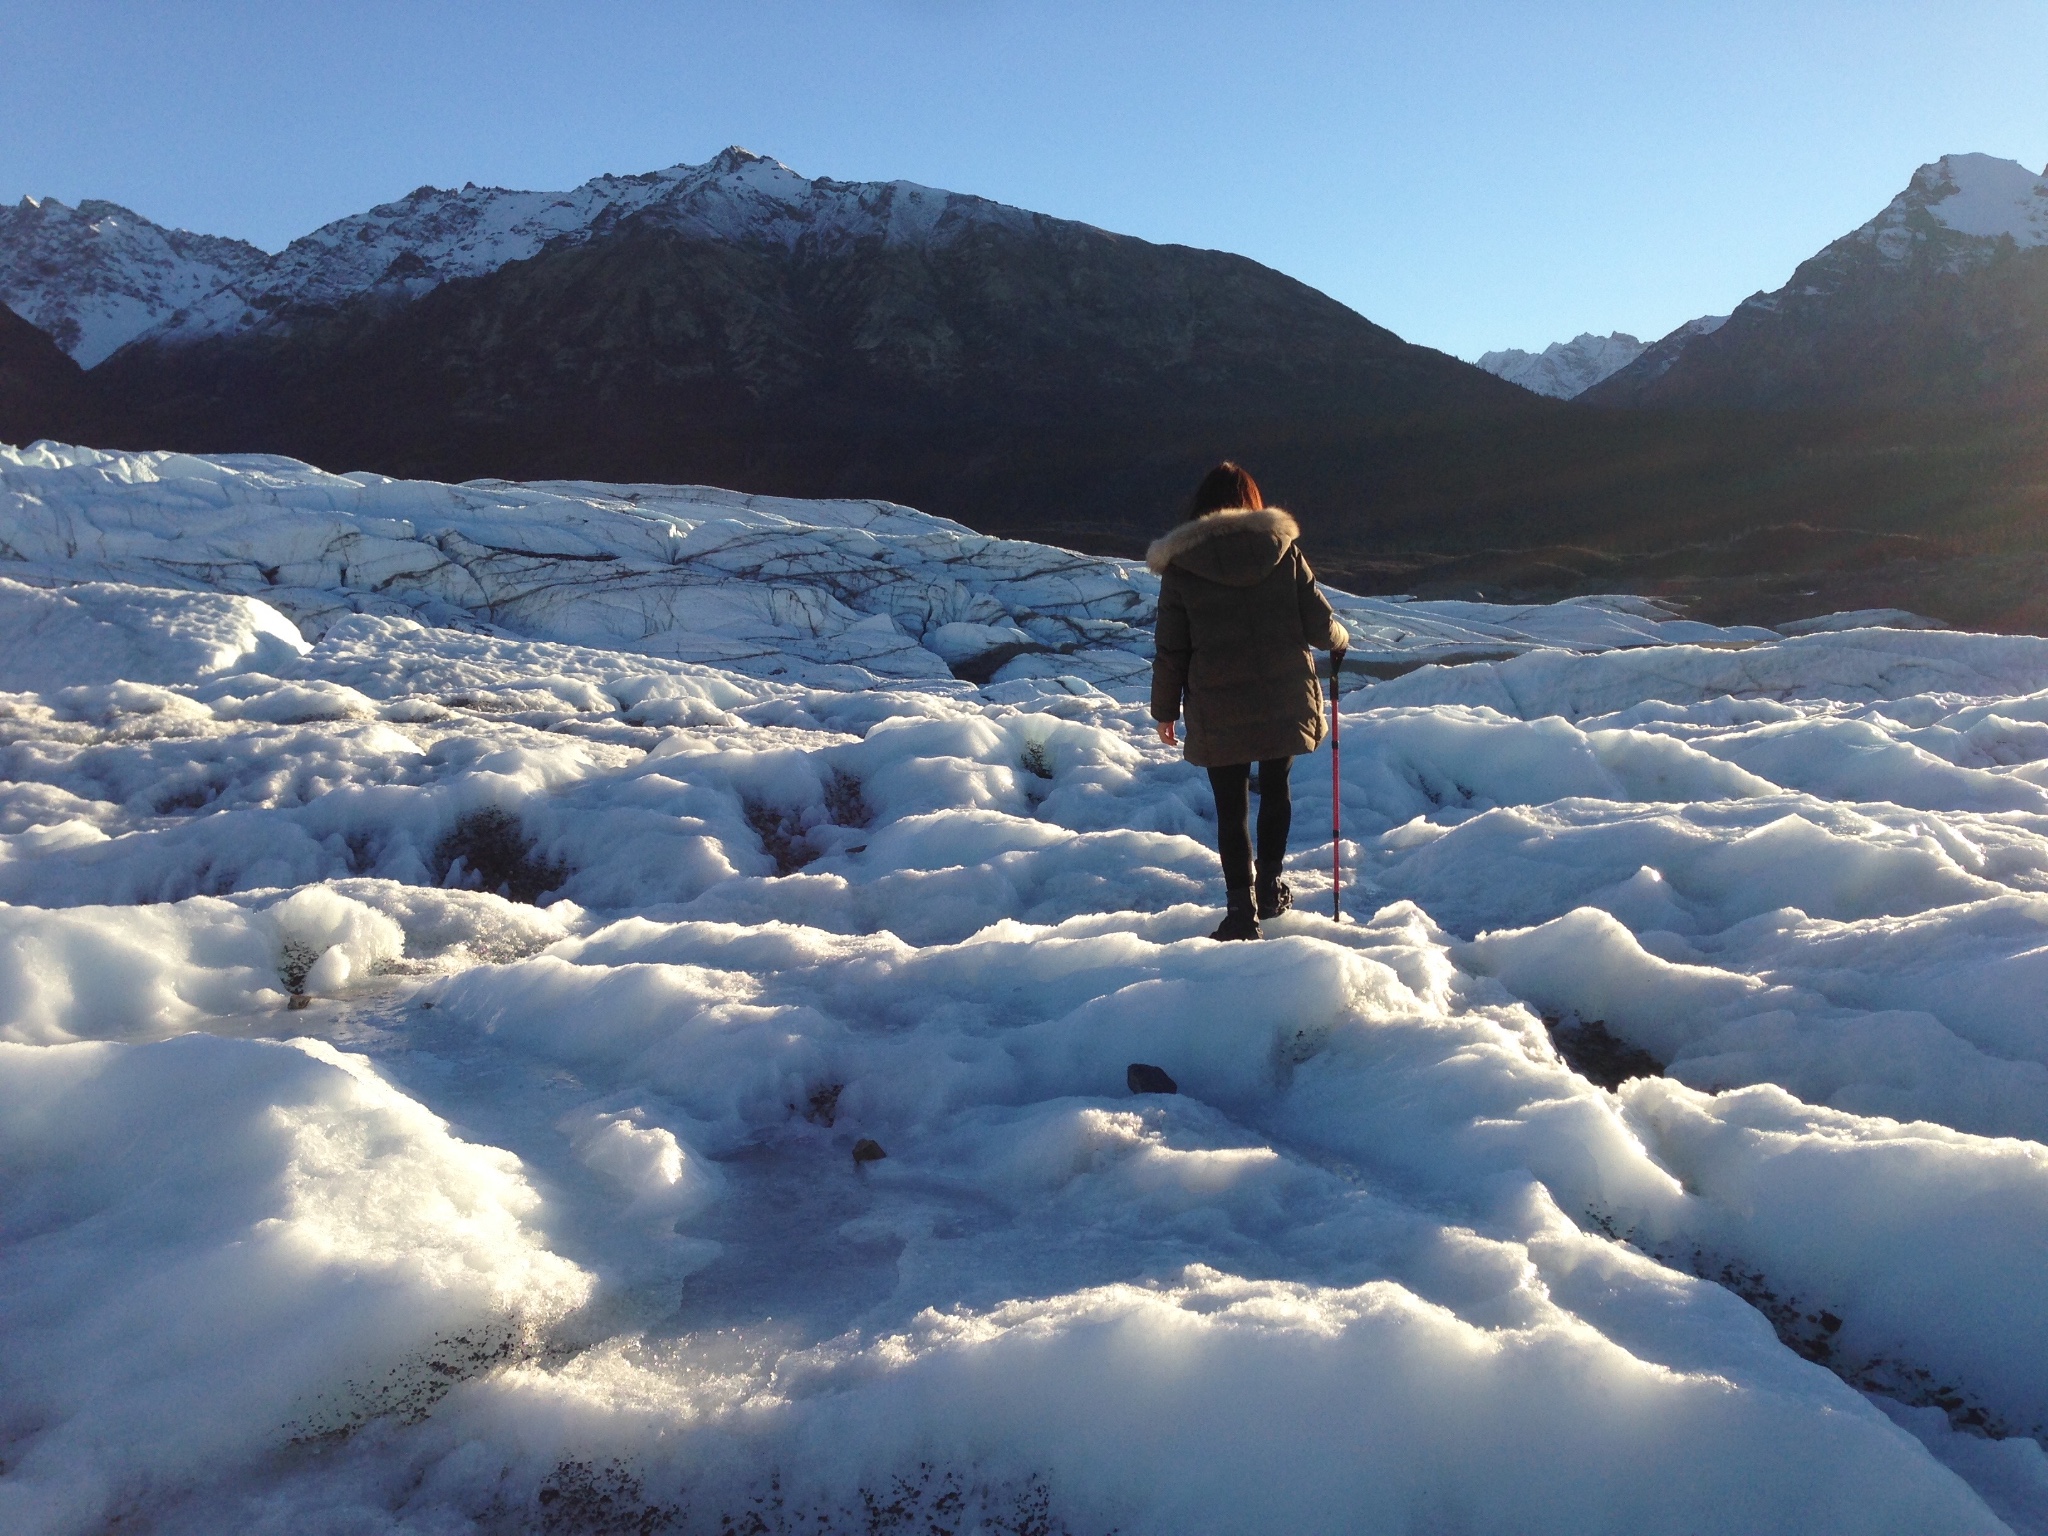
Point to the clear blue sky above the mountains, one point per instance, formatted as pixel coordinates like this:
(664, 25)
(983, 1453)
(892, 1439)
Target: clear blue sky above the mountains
(1471, 175)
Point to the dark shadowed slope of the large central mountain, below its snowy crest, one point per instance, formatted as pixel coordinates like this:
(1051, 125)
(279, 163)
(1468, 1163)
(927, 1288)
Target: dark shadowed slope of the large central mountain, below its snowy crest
(1015, 374)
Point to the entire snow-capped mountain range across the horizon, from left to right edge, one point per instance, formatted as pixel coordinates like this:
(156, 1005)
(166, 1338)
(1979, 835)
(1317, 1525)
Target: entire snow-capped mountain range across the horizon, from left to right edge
(742, 325)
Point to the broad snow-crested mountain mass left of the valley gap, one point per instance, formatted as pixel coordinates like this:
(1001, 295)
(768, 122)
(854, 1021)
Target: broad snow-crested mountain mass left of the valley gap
(740, 325)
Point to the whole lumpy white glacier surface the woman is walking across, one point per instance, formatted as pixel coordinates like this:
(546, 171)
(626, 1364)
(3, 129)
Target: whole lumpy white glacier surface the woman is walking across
(456, 937)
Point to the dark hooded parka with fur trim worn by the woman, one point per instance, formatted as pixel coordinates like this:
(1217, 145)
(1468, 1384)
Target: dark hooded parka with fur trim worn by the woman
(1238, 617)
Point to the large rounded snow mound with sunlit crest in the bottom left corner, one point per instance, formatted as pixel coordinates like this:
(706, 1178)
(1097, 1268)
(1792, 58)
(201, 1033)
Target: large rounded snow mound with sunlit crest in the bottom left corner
(224, 1246)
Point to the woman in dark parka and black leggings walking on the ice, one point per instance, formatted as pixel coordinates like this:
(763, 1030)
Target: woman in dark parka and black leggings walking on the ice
(1238, 617)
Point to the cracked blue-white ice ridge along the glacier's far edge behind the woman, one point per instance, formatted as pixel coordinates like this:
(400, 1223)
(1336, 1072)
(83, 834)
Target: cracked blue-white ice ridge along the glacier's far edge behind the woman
(847, 595)
